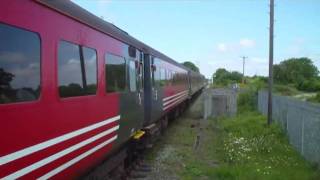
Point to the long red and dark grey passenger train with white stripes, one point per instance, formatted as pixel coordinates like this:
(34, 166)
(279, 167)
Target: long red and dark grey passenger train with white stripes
(77, 92)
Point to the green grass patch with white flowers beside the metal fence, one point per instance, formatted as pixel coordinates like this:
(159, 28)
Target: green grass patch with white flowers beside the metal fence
(248, 149)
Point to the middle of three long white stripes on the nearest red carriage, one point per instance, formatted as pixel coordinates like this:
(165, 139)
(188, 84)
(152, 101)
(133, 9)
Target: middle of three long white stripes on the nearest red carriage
(58, 155)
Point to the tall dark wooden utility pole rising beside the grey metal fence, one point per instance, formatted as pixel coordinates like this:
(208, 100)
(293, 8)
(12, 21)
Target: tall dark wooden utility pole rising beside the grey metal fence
(270, 62)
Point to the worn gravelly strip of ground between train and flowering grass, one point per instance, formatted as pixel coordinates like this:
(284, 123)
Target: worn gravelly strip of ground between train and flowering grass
(183, 144)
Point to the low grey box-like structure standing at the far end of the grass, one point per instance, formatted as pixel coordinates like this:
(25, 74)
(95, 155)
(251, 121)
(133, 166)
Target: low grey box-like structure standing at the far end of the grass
(220, 102)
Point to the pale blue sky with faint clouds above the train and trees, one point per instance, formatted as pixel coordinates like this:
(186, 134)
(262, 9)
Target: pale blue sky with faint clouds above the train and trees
(216, 33)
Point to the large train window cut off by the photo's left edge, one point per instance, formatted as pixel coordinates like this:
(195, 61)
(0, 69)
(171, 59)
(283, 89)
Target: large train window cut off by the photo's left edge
(19, 65)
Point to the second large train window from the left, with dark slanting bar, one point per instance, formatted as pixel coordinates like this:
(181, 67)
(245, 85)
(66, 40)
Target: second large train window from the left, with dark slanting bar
(77, 70)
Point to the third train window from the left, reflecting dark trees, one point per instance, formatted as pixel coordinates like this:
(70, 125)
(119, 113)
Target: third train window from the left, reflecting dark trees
(115, 73)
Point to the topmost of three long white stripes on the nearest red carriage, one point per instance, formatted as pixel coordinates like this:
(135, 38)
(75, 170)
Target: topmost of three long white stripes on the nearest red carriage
(32, 149)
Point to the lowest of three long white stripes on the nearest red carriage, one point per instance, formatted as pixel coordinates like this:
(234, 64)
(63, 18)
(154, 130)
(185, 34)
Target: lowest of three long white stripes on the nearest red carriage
(77, 159)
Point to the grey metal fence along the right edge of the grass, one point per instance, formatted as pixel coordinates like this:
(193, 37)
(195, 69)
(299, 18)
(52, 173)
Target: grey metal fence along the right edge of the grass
(300, 120)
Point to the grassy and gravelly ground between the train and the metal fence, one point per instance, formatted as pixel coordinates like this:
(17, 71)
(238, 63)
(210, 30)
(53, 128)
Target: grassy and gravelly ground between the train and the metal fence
(242, 147)
